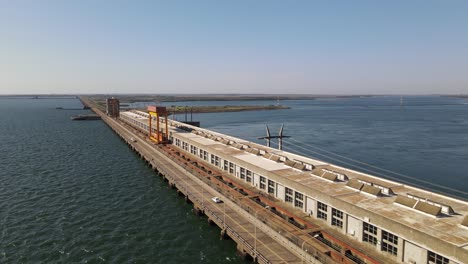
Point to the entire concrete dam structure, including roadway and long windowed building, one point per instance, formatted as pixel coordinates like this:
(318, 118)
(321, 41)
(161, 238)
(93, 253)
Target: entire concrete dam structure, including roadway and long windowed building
(280, 207)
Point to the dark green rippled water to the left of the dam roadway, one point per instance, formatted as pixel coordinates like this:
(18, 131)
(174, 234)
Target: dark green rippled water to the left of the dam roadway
(72, 192)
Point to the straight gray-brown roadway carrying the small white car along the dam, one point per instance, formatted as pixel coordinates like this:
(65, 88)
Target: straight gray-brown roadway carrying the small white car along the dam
(237, 219)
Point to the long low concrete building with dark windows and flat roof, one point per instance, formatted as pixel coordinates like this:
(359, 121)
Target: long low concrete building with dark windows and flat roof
(401, 222)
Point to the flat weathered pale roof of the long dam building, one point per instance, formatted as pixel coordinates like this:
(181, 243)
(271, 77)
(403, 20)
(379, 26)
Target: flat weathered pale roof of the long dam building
(447, 228)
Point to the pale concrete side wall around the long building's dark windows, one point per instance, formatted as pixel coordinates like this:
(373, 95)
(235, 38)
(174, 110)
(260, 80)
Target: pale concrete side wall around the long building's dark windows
(353, 216)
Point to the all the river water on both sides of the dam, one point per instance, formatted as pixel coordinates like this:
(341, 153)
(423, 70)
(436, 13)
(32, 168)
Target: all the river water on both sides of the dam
(72, 192)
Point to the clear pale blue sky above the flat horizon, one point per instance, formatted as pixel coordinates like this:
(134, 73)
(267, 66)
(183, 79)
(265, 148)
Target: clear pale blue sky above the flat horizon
(314, 47)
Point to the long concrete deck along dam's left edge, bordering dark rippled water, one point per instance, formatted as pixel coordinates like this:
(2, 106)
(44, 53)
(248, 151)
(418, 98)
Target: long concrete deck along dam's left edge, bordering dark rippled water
(234, 221)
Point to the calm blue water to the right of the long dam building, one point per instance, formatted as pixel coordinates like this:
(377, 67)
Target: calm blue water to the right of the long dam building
(426, 139)
